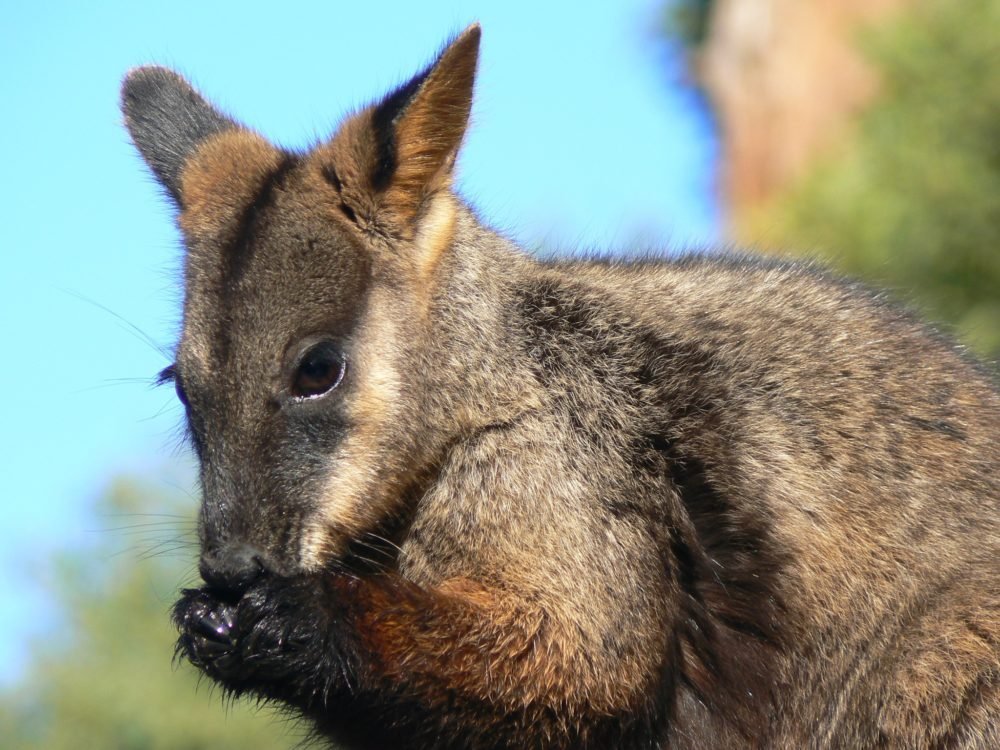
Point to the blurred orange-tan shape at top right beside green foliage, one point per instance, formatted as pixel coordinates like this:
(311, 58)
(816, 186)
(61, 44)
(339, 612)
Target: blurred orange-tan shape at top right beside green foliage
(785, 77)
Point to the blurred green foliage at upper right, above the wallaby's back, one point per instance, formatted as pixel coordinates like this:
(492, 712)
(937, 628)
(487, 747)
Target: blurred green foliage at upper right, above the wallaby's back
(913, 199)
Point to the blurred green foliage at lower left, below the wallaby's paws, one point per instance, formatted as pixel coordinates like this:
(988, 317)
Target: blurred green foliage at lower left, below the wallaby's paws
(110, 681)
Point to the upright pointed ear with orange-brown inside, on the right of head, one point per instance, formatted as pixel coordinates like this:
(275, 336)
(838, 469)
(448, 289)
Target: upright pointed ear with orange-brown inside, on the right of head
(388, 159)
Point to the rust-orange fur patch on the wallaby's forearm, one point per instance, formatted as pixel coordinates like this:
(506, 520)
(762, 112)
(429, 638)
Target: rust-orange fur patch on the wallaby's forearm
(496, 650)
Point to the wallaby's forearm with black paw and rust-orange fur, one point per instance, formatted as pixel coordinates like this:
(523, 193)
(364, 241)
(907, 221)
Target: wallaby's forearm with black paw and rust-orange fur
(378, 641)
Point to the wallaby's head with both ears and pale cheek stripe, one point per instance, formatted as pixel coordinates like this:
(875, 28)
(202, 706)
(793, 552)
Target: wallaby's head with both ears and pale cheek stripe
(307, 278)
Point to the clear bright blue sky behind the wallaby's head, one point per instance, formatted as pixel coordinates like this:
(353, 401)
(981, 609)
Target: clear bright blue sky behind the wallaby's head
(581, 139)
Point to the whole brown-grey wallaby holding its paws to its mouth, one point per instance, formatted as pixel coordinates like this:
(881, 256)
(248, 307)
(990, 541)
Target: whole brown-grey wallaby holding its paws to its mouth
(459, 497)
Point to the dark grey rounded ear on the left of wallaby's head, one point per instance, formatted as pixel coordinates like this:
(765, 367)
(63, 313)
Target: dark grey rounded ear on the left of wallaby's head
(167, 120)
